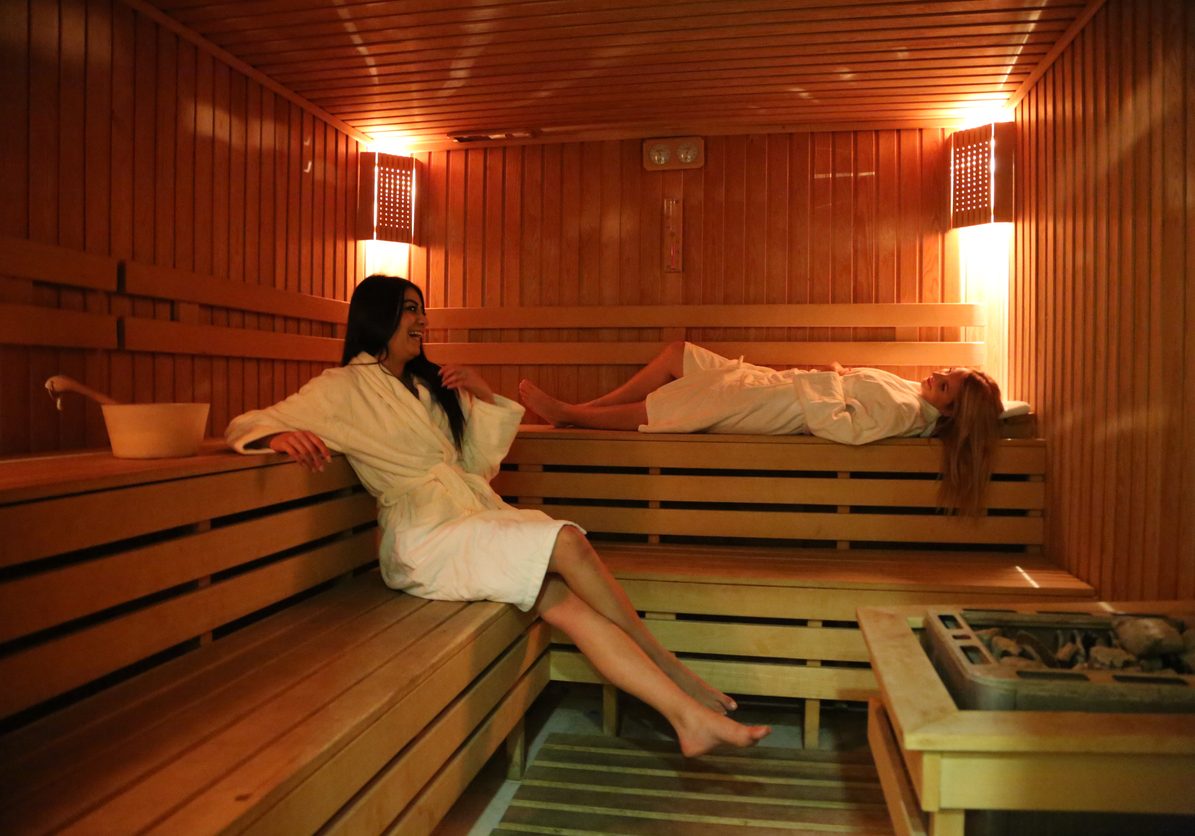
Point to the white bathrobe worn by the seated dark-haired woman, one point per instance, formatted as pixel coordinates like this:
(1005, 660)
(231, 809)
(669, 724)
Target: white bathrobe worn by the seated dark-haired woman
(446, 534)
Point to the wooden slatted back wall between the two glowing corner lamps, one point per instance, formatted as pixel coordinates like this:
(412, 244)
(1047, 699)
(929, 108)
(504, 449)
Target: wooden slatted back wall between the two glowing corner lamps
(848, 217)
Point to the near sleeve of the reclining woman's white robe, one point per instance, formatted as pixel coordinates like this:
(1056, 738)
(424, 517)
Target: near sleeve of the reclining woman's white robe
(832, 414)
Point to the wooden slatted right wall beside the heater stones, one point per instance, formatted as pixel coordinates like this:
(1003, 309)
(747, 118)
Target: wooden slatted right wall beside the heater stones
(1104, 299)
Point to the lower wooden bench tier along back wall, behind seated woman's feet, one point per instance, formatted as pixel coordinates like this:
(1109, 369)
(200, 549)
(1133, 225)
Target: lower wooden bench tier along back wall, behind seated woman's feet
(768, 623)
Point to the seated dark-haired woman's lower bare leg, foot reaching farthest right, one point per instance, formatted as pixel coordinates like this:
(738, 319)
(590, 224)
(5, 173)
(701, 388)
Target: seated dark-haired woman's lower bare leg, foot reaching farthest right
(618, 659)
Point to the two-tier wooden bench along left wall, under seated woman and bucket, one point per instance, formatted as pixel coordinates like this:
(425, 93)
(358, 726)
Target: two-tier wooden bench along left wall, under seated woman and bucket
(204, 646)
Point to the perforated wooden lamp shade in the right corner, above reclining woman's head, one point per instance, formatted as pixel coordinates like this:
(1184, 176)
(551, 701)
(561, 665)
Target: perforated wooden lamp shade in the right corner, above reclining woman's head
(982, 175)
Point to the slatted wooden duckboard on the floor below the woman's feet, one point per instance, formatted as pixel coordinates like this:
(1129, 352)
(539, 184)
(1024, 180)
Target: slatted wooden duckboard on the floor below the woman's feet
(606, 785)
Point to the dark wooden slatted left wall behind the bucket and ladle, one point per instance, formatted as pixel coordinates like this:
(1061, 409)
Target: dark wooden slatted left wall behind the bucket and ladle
(124, 140)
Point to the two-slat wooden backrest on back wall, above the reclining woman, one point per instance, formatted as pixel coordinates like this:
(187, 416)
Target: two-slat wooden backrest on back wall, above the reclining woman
(890, 335)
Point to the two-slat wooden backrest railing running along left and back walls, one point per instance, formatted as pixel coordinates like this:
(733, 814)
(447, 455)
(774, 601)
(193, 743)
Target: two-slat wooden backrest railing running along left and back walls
(579, 336)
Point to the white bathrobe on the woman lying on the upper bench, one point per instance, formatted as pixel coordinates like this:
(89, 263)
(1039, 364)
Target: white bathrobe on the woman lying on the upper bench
(718, 395)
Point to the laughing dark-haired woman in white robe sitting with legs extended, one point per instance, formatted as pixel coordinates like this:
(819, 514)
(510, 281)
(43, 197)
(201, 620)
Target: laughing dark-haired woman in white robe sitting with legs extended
(426, 441)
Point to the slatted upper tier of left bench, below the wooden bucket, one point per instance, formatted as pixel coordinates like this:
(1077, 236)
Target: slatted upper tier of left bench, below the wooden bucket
(107, 565)
